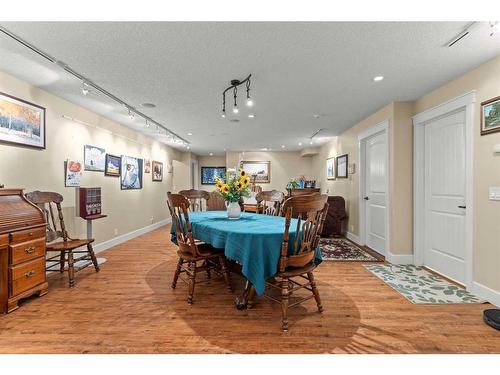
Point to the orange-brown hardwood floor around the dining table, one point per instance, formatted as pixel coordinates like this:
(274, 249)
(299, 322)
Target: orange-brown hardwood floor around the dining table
(129, 307)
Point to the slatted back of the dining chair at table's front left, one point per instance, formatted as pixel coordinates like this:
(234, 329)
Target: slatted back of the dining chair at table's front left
(178, 206)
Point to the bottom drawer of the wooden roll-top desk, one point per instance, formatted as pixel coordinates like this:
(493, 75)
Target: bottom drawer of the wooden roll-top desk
(27, 275)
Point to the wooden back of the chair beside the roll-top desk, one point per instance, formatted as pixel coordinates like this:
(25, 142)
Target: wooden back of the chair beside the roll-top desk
(49, 203)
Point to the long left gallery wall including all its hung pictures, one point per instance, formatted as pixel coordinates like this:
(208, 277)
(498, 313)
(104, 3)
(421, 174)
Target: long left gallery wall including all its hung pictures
(58, 146)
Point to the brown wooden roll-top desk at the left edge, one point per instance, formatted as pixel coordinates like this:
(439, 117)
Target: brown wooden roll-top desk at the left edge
(22, 249)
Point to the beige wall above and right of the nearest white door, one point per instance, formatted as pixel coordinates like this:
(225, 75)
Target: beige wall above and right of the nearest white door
(486, 81)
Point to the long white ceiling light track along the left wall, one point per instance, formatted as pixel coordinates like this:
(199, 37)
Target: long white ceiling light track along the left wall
(88, 82)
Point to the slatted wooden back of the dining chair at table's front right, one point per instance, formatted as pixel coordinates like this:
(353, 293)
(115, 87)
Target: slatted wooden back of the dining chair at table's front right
(310, 211)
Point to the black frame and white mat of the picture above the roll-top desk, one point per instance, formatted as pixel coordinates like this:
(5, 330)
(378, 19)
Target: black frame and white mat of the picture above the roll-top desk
(9, 139)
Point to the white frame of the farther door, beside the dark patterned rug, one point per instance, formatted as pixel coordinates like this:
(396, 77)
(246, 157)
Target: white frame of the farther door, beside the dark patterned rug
(380, 128)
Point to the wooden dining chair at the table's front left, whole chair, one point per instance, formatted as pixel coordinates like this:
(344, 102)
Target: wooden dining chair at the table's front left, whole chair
(191, 251)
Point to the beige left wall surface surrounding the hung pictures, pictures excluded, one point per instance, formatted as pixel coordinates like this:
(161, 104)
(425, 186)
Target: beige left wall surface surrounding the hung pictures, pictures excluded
(44, 169)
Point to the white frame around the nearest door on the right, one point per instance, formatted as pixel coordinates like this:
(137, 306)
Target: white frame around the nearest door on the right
(465, 101)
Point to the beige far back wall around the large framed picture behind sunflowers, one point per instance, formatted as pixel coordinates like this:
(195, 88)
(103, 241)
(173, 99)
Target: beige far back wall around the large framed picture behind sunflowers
(285, 165)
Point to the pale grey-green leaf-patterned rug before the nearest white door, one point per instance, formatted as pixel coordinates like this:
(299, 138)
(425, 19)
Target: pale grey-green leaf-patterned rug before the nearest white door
(421, 286)
